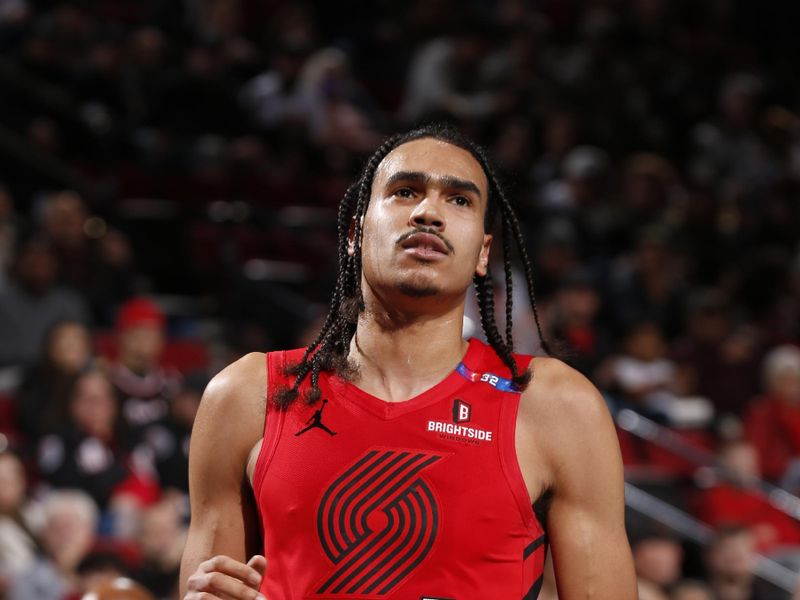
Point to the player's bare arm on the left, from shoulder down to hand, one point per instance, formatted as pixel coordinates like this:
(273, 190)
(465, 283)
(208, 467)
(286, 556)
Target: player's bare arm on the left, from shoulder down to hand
(229, 423)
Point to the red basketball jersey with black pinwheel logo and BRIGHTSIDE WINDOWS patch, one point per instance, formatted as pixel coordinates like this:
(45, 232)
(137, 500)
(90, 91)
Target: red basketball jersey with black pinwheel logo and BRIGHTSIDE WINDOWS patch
(414, 500)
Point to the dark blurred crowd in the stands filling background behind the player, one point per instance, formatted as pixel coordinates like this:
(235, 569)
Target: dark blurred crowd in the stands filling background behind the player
(169, 175)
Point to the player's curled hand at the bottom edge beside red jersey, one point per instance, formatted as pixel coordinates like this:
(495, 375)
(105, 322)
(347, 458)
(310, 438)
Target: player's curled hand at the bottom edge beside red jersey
(223, 577)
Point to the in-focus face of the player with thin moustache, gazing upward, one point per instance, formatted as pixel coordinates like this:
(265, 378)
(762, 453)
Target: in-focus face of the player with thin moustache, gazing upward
(423, 233)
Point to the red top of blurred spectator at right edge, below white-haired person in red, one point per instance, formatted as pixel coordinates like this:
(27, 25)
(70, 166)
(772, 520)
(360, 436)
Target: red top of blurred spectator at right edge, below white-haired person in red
(728, 505)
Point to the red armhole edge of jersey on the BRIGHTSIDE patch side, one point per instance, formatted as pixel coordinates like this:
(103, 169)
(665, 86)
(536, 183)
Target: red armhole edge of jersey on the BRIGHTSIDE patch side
(509, 461)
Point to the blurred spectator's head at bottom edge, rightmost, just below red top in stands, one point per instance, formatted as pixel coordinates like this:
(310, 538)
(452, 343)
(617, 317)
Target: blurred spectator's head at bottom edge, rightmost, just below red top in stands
(730, 561)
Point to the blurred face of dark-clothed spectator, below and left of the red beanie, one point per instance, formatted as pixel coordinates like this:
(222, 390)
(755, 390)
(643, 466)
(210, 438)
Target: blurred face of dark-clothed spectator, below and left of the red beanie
(94, 406)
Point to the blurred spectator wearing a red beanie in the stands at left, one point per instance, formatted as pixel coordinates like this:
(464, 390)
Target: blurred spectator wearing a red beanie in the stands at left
(142, 384)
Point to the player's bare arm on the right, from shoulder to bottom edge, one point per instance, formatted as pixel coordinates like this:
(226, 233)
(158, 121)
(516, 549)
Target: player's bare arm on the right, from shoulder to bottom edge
(586, 518)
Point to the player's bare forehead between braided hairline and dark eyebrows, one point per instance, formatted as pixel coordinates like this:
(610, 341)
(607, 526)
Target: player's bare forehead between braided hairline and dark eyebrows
(433, 157)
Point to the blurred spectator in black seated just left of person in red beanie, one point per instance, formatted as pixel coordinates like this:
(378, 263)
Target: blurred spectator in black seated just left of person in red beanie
(43, 395)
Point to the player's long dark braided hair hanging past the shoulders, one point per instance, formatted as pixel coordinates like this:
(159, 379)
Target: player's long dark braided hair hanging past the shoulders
(329, 351)
